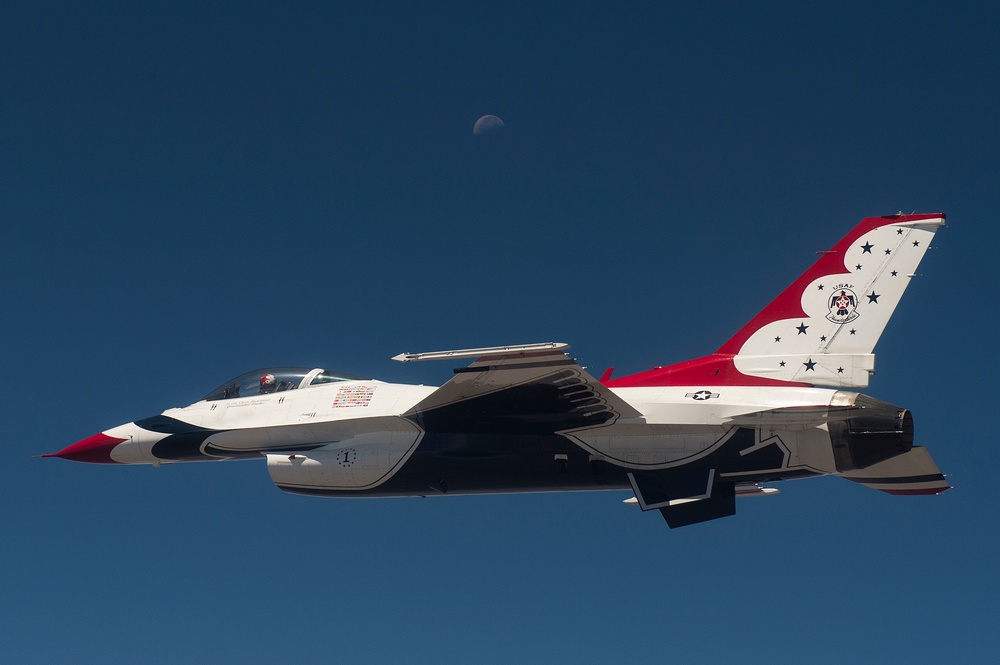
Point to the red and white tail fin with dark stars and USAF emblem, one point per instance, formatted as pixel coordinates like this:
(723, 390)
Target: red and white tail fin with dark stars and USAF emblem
(822, 329)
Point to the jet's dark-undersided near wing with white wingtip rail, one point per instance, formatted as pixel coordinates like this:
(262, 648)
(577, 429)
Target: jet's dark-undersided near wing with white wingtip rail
(531, 389)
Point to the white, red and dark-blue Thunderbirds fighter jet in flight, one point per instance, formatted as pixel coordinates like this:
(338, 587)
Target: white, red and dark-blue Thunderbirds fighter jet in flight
(777, 401)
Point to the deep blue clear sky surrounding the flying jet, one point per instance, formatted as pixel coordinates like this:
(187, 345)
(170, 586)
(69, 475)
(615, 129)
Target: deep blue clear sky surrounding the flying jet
(189, 192)
